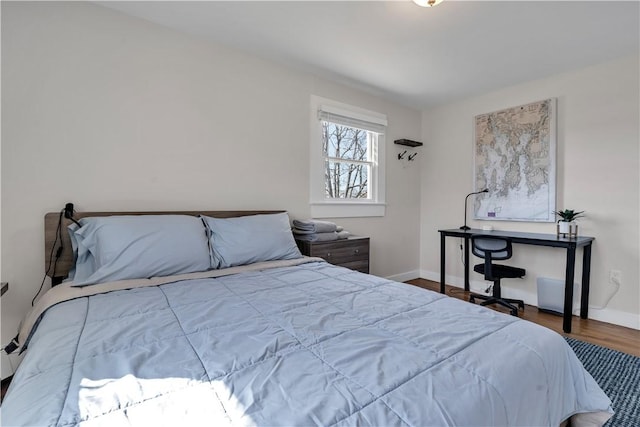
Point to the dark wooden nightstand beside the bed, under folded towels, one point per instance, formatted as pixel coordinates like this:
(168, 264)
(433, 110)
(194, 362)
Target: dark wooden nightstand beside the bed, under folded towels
(352, 252)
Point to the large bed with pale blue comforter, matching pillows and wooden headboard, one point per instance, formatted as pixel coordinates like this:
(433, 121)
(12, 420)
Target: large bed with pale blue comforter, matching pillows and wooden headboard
(264, 339)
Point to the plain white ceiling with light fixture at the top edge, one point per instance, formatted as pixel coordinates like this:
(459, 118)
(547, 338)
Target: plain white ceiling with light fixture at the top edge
(419, 57)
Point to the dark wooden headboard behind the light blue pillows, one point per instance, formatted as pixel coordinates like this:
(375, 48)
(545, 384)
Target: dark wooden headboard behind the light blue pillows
(65, 262)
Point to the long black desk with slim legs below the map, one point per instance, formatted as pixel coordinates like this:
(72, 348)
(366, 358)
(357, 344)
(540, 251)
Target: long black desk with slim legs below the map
(538, 239)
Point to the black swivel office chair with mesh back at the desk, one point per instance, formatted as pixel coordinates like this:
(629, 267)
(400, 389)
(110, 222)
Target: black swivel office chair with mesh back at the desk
(493, 248)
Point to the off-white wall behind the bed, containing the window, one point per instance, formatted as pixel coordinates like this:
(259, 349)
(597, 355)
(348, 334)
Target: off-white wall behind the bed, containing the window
(115, 113)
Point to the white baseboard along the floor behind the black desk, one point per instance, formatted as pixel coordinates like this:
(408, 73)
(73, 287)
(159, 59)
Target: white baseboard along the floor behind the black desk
(607, 315)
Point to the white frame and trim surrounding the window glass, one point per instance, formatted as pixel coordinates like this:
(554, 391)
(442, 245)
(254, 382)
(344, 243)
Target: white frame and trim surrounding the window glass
(323, 207)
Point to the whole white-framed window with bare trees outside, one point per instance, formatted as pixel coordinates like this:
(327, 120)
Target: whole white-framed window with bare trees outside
(347, 160)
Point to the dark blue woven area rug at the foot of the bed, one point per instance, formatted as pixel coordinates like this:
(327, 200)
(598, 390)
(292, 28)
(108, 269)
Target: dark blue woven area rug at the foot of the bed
(618, 374)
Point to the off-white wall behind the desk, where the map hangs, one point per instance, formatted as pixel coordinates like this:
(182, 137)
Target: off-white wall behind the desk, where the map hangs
(598, 171)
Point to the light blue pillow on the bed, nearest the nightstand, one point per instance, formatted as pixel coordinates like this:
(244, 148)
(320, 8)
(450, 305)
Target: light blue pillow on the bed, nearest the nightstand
(248, 239)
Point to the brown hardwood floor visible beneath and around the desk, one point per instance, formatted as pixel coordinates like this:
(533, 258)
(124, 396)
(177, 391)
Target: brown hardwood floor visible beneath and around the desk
(616, 337)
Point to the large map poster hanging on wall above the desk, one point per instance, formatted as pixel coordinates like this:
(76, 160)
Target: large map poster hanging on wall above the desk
(515, 159)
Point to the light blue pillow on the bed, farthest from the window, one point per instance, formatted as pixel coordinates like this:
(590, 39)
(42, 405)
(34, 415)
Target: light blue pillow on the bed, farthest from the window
(138, 246)
